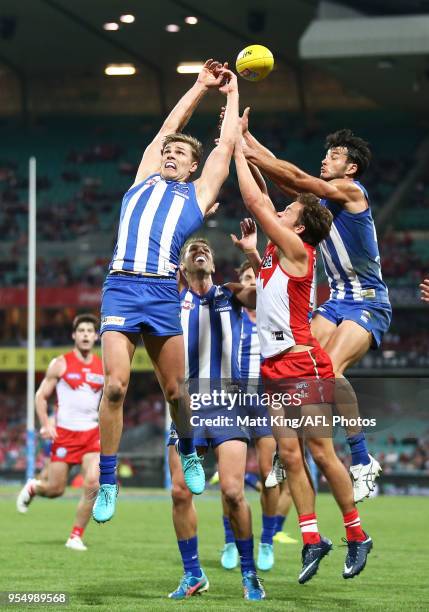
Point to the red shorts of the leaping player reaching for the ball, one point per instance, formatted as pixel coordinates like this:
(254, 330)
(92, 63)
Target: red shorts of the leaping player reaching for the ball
(307, 376)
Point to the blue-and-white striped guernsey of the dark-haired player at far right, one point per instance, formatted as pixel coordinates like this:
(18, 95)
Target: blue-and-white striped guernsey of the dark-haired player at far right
(351, 256)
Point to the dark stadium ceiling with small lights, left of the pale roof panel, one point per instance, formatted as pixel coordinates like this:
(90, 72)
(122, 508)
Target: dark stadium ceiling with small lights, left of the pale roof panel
(67, 36)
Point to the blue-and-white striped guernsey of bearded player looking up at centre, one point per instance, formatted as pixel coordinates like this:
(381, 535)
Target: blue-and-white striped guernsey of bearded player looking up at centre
(211, 334)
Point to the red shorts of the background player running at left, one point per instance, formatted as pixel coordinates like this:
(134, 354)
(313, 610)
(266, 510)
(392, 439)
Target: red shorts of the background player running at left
(70, 446)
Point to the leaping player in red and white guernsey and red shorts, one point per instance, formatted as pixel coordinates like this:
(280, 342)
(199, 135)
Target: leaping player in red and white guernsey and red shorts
(294, 363)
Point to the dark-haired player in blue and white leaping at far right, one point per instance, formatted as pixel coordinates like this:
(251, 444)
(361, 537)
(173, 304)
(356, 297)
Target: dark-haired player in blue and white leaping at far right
(358, 312)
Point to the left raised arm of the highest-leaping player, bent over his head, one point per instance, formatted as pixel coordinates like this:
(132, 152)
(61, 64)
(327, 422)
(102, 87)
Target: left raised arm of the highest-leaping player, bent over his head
(209, 78)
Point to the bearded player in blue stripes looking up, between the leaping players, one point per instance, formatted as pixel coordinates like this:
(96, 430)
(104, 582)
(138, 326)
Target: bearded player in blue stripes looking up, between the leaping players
(211, 317)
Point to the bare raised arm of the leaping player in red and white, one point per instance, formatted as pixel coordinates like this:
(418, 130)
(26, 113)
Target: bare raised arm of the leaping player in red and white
(284, 238)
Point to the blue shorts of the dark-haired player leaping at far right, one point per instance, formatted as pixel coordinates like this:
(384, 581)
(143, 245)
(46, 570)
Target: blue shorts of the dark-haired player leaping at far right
(375, 317)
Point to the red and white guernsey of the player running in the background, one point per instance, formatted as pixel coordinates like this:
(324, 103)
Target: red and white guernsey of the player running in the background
(78, 393)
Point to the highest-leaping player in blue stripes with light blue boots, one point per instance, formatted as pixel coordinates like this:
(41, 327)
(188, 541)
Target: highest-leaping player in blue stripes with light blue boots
(159, 212)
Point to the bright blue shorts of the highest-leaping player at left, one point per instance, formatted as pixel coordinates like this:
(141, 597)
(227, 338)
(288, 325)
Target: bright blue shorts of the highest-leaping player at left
(140, 304)
